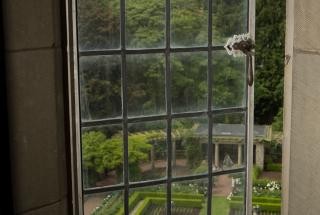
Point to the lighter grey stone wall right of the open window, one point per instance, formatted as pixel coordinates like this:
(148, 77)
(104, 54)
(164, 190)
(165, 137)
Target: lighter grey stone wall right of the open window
(301, 158)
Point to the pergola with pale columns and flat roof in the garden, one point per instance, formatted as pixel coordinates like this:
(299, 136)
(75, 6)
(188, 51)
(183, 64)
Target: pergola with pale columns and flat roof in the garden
(223, 134)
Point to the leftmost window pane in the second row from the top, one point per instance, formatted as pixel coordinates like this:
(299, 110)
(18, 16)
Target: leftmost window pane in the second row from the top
(100, 87)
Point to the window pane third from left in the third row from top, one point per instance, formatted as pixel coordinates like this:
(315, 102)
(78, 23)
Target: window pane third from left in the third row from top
(189, 146)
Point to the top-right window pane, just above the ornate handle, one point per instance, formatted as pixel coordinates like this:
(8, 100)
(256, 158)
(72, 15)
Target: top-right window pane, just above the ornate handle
(229, 18)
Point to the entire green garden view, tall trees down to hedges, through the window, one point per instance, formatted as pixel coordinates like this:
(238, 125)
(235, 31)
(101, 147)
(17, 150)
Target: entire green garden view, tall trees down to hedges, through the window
(101, 98)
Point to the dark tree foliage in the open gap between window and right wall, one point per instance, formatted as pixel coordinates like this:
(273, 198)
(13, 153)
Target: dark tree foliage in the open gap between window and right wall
(269, 55)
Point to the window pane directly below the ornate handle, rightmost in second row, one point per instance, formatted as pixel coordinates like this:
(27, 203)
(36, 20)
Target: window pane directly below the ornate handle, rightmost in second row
(229, 81)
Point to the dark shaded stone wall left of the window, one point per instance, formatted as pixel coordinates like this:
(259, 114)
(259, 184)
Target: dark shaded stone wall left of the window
(35, 102)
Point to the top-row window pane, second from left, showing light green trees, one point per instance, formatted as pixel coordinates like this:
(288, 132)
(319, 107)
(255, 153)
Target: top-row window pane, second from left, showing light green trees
(145, 23)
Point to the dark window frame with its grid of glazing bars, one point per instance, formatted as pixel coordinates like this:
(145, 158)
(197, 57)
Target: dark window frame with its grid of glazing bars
(76, 125)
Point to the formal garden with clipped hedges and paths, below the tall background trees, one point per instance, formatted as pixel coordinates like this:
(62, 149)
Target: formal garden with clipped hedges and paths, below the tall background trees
(188, 197)
